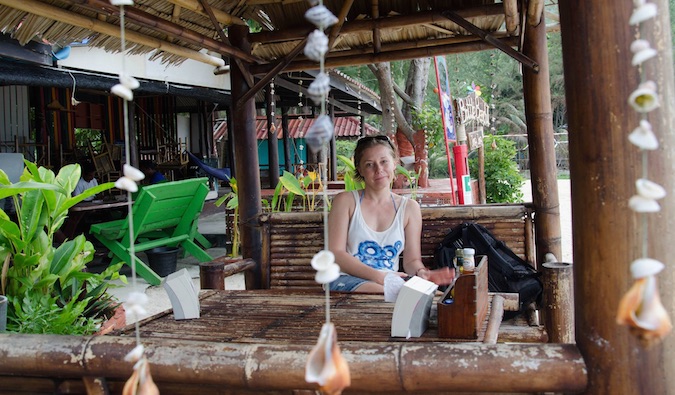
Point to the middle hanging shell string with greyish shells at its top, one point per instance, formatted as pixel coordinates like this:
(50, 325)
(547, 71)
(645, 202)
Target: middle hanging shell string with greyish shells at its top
(325, 364)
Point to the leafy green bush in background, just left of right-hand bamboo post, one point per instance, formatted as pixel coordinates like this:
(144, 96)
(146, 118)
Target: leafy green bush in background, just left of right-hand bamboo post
(503, 182)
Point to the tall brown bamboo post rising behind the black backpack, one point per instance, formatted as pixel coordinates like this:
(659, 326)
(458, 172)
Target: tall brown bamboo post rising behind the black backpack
(541, 143)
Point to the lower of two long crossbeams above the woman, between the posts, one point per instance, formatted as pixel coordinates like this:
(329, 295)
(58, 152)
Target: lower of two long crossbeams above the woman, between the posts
(390, 56)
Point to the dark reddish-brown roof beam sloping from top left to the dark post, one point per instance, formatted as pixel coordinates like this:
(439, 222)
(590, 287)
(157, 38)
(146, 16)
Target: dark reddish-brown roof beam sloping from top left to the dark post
(169, 28)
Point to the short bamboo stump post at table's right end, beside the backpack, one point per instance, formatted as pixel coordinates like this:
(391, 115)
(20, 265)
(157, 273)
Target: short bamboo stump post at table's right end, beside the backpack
(558, 304)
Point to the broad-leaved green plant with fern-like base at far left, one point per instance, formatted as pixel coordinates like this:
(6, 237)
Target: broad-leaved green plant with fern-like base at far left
(48, 287)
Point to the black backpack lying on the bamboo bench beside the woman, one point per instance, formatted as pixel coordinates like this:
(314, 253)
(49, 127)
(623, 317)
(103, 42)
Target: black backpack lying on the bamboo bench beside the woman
(507, 272)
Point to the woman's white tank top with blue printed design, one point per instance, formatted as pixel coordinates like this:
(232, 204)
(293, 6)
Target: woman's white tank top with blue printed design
(379, 250)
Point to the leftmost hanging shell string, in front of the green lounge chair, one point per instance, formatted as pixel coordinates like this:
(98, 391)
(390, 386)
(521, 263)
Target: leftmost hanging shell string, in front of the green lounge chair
(140, 382)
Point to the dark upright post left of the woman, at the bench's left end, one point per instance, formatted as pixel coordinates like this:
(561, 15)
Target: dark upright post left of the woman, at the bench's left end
(246, 162)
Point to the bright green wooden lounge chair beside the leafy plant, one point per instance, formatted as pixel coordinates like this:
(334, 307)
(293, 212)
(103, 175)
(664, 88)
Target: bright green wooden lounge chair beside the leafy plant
(164, 215)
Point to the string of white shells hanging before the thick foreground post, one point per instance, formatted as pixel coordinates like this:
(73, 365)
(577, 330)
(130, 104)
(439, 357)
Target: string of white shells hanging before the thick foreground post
(640, 308)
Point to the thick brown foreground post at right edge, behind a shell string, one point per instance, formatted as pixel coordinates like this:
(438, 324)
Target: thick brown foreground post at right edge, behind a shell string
(604, 165)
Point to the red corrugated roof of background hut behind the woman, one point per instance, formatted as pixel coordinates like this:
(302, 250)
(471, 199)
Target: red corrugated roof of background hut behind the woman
(297, 127)
